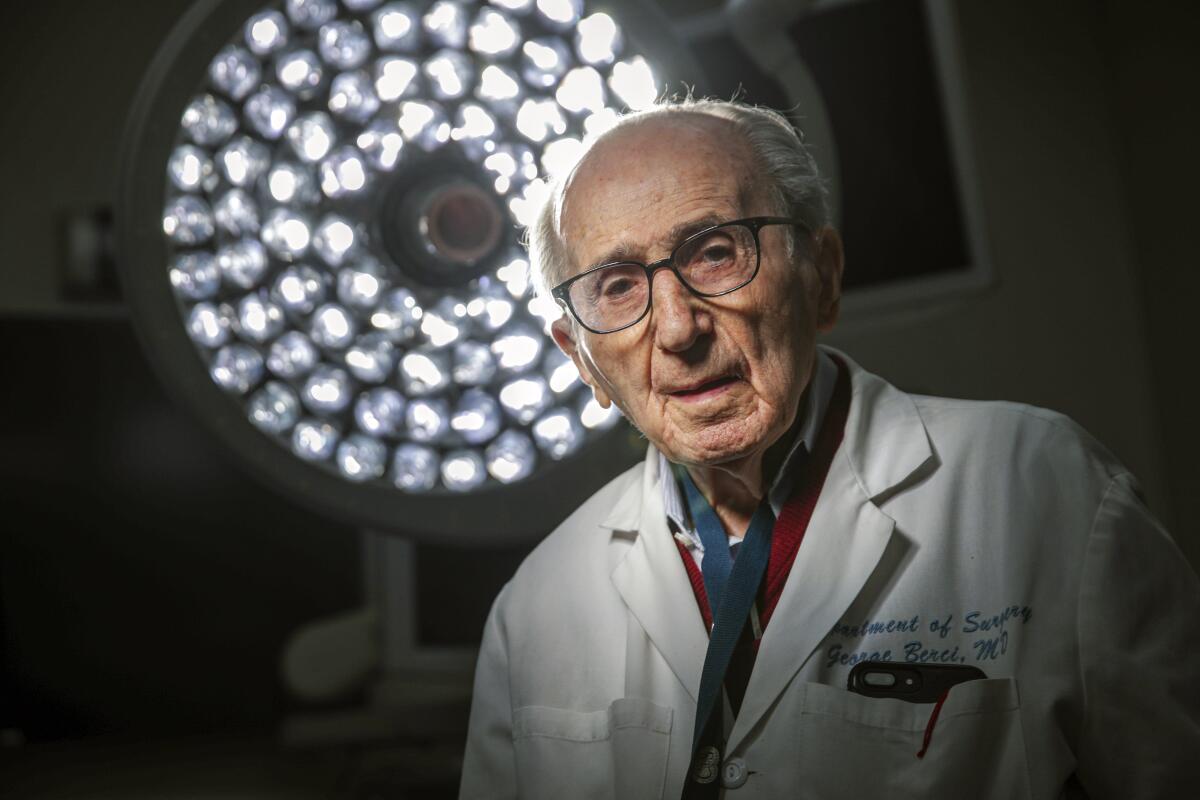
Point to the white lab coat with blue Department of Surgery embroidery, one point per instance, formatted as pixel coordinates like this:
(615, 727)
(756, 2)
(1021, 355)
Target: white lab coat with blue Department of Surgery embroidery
(991, 534)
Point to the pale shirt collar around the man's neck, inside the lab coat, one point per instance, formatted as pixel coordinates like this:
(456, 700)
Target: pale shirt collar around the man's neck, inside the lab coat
(825, 377)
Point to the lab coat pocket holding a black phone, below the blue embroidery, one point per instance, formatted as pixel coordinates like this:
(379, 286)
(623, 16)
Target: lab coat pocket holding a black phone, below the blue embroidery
(856, 747)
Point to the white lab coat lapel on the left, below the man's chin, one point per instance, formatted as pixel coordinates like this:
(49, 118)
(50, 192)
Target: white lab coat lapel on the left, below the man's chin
(653, 582)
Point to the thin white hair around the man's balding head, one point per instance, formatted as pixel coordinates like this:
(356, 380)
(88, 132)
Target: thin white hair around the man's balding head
(794, 184)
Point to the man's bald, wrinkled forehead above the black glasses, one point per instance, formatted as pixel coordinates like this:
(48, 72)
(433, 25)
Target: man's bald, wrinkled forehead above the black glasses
(643, 182)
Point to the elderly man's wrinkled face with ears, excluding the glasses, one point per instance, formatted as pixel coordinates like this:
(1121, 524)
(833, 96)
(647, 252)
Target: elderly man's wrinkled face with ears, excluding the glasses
(709, 381)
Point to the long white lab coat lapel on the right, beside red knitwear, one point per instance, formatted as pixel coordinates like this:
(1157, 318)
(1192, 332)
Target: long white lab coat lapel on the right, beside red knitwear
(885, 444)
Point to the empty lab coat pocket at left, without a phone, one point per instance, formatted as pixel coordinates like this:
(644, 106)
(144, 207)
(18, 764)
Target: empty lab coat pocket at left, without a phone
(611, 754)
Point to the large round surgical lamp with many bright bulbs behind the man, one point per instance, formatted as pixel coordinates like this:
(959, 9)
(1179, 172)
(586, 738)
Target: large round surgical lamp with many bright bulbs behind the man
(319, 233)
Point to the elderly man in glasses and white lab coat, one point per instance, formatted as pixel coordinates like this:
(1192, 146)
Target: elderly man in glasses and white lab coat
(692, 629)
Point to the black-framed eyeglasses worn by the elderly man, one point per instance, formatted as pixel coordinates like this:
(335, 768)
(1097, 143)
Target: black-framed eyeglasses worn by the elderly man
(711, 263)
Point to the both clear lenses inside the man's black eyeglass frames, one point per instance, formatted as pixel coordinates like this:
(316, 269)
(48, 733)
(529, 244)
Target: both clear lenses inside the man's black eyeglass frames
(712, 263)
